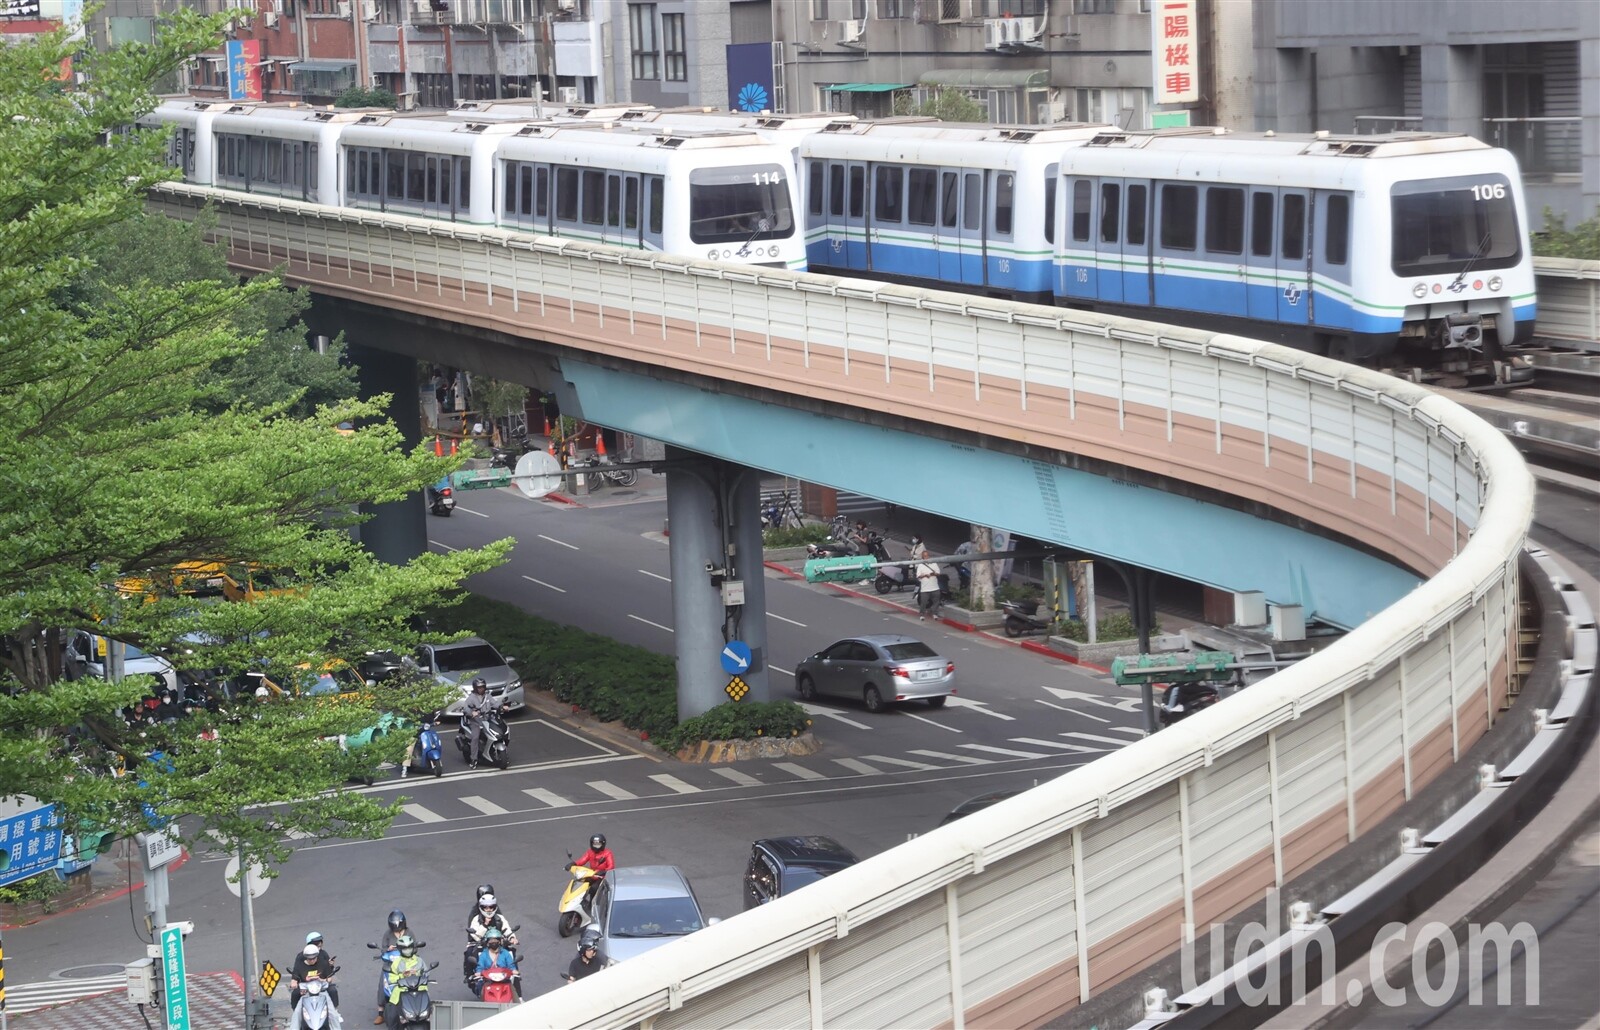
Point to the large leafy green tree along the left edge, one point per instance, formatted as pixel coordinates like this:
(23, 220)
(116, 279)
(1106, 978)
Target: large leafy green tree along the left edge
(119, 461)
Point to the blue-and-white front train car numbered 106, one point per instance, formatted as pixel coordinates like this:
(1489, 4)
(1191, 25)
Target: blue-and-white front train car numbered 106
(1398, 252)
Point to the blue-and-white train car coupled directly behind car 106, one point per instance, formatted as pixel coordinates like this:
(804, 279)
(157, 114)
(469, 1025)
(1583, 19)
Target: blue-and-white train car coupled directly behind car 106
(935, 204)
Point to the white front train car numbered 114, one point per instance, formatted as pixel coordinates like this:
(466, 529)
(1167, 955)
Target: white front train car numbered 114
(718, 196)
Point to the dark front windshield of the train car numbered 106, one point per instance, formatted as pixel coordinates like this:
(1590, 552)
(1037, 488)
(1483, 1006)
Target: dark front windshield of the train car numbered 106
(1444, 226)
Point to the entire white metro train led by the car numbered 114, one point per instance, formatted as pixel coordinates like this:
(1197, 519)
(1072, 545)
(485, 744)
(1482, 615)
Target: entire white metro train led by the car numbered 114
(718, 194)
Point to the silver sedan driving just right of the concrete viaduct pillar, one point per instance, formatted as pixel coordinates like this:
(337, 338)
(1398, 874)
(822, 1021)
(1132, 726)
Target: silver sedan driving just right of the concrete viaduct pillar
(879, 669)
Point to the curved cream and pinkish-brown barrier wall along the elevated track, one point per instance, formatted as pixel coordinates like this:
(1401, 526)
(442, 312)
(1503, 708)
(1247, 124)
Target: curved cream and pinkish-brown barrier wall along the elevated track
(1031, 908)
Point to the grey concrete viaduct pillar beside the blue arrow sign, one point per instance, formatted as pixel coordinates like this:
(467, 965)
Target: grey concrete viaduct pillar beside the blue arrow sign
(716, 549)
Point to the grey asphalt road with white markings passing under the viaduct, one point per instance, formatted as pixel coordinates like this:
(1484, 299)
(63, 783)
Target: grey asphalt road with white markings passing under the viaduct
(878, 781)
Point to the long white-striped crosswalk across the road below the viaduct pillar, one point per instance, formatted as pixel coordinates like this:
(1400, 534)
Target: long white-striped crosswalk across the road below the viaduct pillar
(633, 783)
